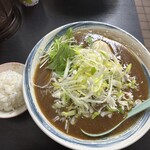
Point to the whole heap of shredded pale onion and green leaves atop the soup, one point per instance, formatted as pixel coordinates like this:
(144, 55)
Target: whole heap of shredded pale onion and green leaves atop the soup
(87, 82)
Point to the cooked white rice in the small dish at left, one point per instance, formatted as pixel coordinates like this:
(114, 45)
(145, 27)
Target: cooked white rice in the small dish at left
(11, 95)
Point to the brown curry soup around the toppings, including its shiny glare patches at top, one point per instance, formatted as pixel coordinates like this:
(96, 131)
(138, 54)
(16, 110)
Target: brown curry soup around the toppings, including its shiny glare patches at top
(98, 124)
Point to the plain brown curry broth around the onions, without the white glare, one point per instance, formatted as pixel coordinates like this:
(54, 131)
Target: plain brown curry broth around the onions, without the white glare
(99, 124)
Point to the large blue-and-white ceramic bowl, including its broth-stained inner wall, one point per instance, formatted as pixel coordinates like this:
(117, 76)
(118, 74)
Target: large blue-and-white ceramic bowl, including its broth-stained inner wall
(117, 141)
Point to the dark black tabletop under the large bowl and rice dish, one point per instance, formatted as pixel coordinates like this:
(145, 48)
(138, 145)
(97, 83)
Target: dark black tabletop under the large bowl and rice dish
(21, 133)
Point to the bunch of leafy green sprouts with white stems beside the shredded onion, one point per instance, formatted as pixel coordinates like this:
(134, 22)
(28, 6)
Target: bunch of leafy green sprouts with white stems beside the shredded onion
(61, 49)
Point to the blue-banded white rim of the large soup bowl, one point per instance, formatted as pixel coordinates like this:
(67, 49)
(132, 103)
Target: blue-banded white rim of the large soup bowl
(118, 141)
